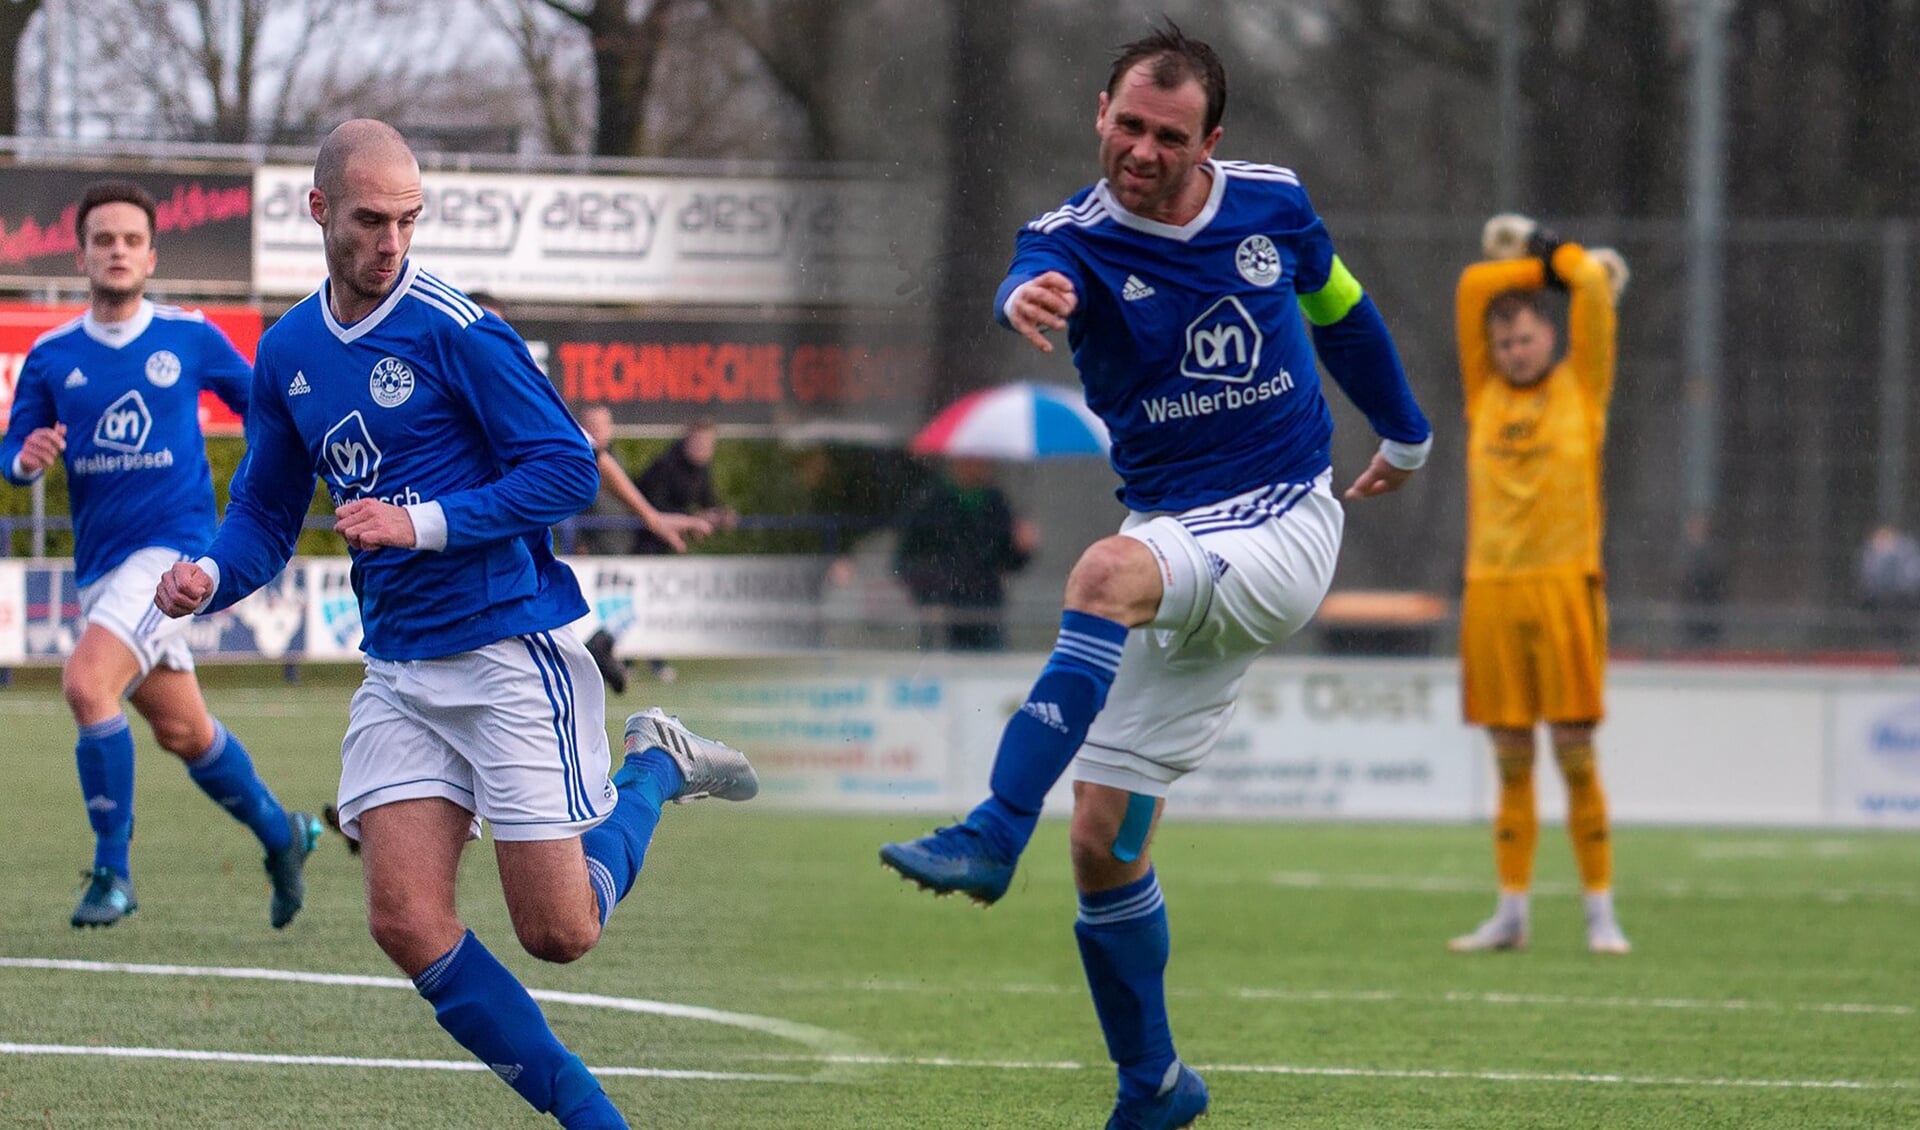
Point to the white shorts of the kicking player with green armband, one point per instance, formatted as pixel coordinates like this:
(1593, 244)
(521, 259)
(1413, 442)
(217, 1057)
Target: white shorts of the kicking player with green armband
(1239, 577)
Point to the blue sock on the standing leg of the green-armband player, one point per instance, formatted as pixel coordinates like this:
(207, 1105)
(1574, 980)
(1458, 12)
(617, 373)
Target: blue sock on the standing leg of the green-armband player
(1124, 947)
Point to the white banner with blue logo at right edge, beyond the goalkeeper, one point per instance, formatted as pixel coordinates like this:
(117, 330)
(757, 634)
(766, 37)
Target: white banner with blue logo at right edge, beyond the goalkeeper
(1877, 759)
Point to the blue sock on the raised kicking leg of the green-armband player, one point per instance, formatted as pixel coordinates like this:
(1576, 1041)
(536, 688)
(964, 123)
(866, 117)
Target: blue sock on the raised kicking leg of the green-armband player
(1042, 740)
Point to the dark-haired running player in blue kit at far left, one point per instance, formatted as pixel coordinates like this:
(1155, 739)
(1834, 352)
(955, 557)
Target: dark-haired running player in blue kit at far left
(116, 396)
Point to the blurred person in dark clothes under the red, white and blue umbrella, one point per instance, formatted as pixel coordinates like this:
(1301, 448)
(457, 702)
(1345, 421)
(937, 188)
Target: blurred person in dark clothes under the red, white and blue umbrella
(959, 540)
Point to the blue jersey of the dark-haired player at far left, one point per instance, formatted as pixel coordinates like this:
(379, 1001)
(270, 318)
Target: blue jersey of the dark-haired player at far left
(130, 396)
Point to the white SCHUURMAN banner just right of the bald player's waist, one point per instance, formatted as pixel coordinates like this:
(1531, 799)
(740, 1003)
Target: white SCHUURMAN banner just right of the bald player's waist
(696, 607)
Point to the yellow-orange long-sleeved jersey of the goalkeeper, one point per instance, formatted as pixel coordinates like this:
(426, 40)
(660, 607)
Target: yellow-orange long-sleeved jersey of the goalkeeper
(1535, 454)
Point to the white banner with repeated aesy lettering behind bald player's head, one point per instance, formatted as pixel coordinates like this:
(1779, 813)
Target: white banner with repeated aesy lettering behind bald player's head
(623, 239)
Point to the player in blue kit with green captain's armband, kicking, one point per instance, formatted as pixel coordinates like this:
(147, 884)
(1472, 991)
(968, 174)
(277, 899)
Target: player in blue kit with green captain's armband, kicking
(1182, 283)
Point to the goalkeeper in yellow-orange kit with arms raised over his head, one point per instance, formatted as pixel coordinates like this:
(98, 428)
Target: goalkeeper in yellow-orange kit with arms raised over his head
(1533, 634)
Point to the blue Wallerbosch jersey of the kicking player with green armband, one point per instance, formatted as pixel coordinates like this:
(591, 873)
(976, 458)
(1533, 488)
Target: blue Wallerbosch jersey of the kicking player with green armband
(1191, 342)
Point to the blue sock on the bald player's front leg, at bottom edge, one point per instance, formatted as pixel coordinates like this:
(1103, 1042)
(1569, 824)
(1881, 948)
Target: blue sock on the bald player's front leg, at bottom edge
(483, 1006)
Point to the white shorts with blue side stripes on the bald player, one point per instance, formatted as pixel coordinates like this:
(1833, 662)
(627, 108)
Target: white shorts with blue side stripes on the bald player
(514, 732)
